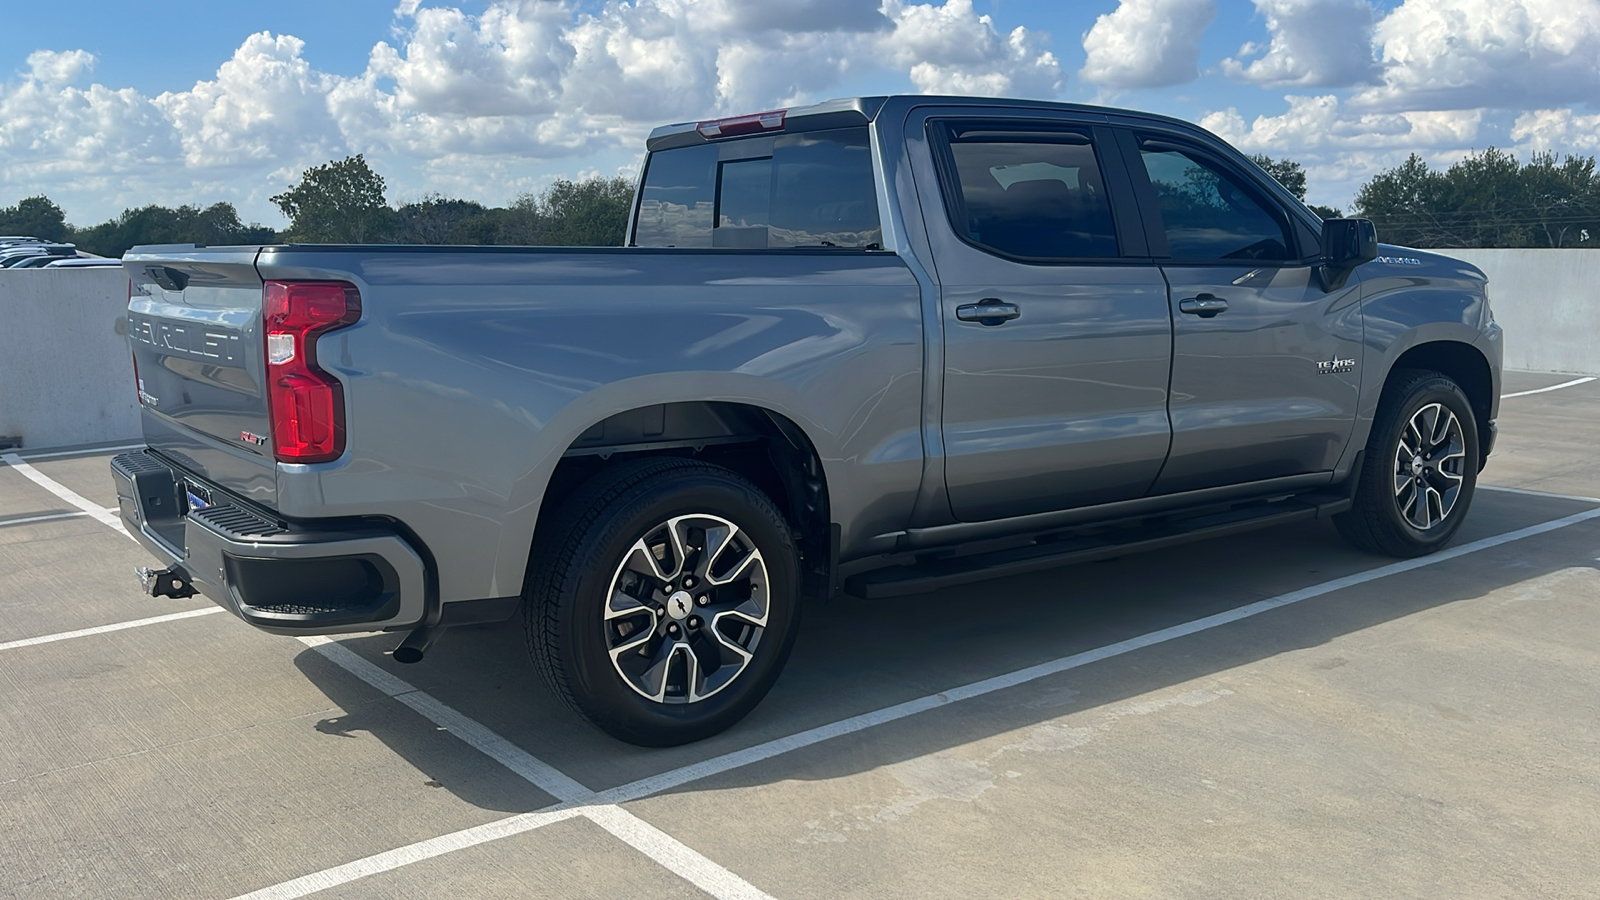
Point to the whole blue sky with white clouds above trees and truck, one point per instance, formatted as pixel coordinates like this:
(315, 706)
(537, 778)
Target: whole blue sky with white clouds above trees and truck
(191, 102)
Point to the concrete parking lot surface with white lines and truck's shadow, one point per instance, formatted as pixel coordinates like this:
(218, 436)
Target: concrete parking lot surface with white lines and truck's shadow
(1260, 717)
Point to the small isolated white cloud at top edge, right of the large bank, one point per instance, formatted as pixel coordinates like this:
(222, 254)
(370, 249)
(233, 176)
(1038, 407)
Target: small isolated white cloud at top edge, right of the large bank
(1146, 44)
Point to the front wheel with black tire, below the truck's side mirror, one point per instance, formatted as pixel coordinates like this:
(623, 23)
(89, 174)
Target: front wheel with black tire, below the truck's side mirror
(1420, 468)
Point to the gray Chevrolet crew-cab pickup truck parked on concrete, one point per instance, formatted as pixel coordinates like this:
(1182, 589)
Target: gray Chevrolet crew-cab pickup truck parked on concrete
(873, 347)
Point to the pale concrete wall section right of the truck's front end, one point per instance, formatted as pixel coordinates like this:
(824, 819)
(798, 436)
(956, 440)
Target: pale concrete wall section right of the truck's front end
(1550, 305)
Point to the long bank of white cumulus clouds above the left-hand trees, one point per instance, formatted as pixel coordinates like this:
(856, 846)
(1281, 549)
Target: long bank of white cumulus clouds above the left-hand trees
(486, 98)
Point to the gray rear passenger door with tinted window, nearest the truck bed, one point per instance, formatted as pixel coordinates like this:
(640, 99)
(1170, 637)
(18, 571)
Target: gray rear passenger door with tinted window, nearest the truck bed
(1057, 334)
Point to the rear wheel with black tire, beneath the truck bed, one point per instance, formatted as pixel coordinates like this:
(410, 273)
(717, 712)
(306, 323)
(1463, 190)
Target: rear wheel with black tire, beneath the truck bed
(654, 645)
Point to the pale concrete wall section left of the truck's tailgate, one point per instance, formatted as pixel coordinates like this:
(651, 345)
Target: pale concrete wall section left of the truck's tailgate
(66, 376)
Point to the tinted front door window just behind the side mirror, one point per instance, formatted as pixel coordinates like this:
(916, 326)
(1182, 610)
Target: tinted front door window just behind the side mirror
(1209, 215)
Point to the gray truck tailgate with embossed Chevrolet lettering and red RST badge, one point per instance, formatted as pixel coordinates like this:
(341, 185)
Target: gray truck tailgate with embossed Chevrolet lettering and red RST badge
(194, 324)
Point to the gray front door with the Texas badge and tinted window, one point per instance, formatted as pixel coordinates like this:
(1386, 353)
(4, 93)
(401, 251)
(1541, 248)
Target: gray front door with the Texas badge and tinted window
(1265, 363)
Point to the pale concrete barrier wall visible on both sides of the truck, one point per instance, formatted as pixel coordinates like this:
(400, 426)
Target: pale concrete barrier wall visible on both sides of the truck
(66, 376)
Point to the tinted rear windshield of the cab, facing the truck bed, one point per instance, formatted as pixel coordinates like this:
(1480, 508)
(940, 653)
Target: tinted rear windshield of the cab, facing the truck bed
(817, 190)
